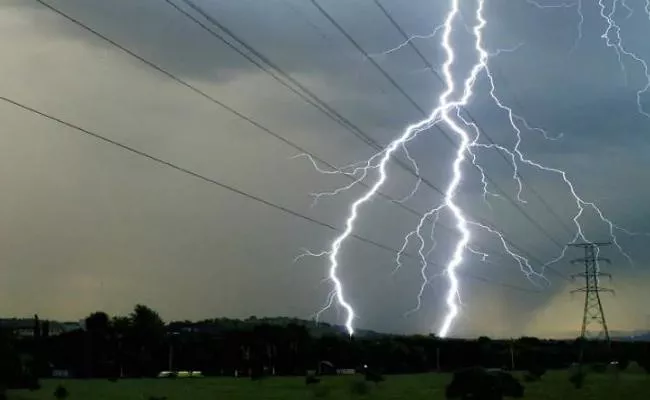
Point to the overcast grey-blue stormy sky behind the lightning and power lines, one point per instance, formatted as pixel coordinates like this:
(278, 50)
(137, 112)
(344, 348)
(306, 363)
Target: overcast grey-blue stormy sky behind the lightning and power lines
(88, 226)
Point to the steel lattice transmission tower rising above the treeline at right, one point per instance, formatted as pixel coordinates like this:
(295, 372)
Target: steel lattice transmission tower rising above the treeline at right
(593, 311)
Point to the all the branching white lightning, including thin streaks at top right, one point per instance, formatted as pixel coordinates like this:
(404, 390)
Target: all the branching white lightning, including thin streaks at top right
(449, 113)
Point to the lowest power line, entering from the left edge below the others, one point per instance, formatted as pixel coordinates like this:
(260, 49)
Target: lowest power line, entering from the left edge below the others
(212, 181)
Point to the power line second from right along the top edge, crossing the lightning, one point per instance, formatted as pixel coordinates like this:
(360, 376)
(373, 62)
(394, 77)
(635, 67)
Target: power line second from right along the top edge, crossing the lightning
(421, 110)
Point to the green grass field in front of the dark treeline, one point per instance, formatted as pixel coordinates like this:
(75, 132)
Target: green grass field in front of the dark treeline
(555, 385)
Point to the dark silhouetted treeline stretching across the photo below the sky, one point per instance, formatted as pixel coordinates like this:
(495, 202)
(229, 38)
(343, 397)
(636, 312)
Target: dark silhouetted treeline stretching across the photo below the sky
(142, 345)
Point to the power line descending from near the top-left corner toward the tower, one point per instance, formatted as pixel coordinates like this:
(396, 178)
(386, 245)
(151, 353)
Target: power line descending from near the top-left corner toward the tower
(255, 123)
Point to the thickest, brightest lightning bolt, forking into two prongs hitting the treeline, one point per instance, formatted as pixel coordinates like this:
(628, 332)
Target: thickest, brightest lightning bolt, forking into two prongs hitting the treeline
(441, 113)
